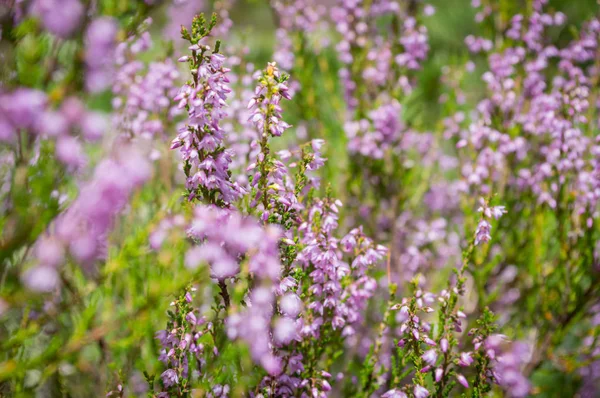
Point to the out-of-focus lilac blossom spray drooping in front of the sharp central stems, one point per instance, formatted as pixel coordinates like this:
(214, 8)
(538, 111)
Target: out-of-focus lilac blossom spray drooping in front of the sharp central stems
(223, 237)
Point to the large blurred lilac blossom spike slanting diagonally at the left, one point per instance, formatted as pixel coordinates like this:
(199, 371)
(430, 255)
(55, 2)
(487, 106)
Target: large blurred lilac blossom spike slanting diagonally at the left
(83, 229)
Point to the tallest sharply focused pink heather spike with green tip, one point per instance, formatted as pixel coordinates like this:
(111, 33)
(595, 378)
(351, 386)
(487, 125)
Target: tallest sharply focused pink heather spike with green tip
(200, 140)
